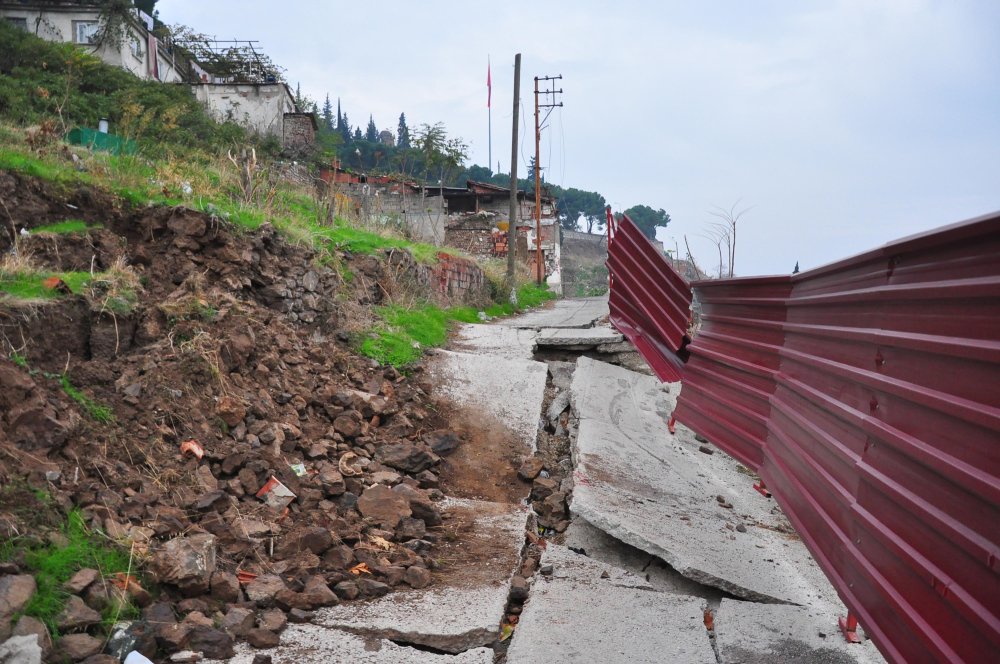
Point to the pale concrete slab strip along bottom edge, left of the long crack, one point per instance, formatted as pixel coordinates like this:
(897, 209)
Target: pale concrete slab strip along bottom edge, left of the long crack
(314, 644)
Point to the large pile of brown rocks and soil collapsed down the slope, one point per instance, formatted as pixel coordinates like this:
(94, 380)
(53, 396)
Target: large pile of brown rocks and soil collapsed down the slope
(256, 468)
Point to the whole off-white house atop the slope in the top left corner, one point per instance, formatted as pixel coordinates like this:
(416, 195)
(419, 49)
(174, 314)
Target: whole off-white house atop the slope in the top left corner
(135, 48)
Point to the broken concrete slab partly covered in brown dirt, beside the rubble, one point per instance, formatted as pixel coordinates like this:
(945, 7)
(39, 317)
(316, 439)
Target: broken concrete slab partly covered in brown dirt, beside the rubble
(464, 607)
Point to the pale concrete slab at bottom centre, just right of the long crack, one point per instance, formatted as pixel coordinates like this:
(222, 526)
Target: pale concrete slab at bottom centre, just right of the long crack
(587, 611)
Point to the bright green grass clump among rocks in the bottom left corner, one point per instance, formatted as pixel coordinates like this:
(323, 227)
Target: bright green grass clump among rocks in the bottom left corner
(53, 564)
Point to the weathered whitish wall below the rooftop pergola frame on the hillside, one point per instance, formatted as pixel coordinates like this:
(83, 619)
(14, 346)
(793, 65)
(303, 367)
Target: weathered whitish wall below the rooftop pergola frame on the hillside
(259, 107)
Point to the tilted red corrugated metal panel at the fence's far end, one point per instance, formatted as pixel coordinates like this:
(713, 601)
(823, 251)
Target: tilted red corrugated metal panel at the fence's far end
(650, 303)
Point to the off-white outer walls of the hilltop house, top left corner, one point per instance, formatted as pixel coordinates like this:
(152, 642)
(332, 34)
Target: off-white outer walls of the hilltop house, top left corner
(59, 24)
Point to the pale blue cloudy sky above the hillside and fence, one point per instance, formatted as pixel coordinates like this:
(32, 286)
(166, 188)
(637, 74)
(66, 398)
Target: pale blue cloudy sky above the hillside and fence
(838, 125)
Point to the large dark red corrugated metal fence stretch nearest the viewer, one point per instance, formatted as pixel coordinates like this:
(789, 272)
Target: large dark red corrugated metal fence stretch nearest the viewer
(867, 395)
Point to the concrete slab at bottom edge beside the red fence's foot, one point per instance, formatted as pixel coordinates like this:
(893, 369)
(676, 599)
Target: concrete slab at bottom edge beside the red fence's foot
(751, 633)
